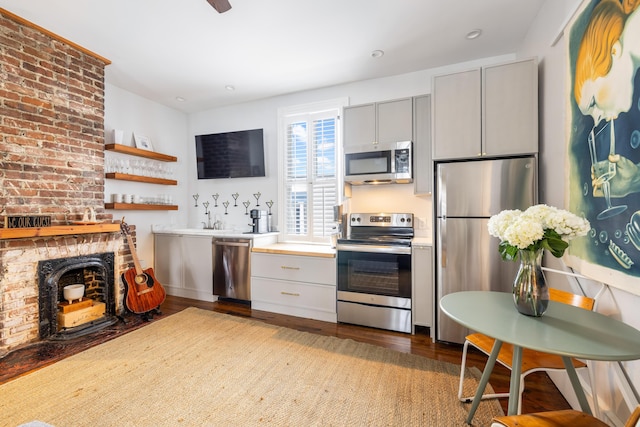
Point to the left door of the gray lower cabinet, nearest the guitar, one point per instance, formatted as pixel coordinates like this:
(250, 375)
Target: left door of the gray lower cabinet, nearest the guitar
(168, 260)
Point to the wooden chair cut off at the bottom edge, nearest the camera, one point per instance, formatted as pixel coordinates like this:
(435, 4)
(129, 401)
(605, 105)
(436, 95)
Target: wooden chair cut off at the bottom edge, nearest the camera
(567, 417)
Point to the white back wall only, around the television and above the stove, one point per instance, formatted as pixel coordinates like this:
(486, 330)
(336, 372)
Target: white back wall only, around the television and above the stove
(264, 114)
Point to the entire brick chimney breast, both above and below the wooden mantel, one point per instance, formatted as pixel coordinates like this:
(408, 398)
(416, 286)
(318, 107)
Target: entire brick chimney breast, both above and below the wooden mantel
(51, 163)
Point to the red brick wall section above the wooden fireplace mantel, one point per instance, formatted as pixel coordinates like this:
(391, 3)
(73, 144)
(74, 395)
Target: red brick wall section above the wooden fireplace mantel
(51, 125)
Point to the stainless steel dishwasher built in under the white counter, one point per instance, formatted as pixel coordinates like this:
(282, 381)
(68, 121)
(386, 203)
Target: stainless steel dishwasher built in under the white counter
(232, 268)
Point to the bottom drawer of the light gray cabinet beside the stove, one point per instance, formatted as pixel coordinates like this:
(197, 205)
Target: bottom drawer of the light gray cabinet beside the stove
(298, 296)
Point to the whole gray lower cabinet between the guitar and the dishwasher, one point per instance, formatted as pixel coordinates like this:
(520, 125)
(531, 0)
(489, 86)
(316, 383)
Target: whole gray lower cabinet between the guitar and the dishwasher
(183, 265)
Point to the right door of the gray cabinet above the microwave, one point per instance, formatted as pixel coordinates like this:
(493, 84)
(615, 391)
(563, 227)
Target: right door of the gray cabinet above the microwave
(395, 120)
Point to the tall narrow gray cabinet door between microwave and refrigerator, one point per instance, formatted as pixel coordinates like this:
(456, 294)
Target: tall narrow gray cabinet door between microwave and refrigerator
(422, 163)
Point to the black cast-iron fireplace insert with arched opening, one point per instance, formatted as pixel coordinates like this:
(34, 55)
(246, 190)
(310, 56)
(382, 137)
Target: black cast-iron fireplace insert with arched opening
(62, 319)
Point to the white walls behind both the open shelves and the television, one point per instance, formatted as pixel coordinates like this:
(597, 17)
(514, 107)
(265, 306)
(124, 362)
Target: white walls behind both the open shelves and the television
(173, 132)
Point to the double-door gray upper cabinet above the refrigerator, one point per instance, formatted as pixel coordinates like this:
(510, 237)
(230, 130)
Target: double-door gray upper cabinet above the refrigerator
(491, 111)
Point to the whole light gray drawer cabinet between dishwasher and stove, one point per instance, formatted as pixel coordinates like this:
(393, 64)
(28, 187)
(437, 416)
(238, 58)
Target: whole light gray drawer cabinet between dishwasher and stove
(302, 286)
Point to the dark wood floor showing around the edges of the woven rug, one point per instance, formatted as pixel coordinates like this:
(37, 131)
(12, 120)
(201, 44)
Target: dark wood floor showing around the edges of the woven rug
(540, 392)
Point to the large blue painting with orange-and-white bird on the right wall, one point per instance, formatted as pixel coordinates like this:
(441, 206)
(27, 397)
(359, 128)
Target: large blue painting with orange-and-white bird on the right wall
(603, 137)
